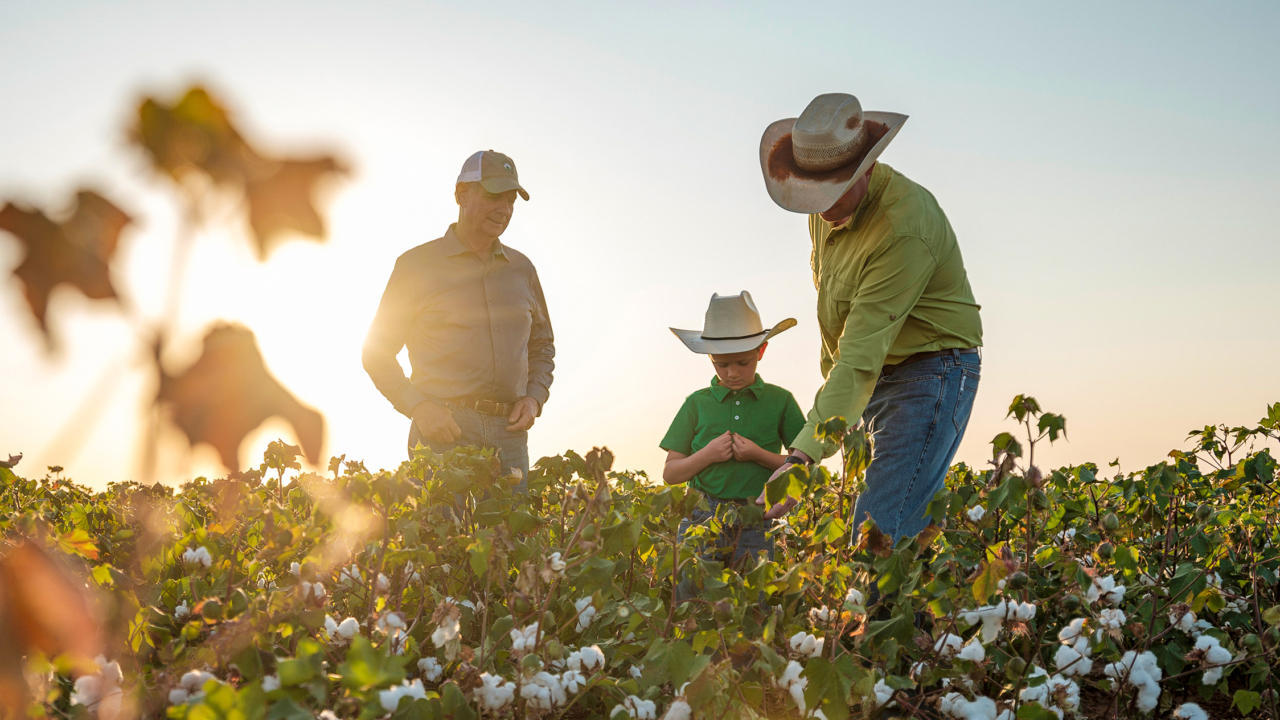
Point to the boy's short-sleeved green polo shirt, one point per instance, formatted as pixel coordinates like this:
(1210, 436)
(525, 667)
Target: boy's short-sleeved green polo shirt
(765, 414)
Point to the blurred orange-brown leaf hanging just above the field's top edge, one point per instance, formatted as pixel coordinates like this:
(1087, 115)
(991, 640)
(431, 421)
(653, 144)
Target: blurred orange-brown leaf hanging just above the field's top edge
(228, 393)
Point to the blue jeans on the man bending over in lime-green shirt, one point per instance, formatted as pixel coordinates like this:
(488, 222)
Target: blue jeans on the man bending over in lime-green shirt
(917, 418)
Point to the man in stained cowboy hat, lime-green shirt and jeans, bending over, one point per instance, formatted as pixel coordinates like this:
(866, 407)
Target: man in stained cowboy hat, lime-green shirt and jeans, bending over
(900, 327)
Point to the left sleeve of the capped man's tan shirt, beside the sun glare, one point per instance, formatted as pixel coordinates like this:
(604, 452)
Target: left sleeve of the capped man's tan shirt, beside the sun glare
(387, 336)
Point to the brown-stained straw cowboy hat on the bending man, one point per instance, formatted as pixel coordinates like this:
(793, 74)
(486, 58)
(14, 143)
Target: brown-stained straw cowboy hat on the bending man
(812, 161)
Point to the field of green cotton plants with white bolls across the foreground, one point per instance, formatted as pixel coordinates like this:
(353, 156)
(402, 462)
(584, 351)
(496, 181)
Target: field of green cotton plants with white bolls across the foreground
(422, 593)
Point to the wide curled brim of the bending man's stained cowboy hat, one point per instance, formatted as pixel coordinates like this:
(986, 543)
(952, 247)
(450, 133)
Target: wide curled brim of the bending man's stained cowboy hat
(802, 192)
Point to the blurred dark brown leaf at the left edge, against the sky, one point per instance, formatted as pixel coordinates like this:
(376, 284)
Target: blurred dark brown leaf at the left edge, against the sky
(76, 252)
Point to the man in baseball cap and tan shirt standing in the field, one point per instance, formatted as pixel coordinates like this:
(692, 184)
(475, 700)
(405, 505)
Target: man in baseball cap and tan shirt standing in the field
(473, 315)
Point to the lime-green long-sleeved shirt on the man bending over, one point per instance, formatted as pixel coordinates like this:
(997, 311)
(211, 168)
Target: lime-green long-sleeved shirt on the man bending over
(890, 284)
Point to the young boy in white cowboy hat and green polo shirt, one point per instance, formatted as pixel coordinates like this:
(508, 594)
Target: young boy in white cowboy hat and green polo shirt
(728, 439)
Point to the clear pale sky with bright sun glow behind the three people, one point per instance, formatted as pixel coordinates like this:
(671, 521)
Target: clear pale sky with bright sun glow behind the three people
(1110, 171)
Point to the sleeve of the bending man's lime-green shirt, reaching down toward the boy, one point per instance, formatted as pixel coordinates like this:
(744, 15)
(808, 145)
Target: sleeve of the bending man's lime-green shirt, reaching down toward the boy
(888, 289)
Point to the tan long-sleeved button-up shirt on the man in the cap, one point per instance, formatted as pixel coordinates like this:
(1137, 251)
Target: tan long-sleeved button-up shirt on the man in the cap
(476, 327)
